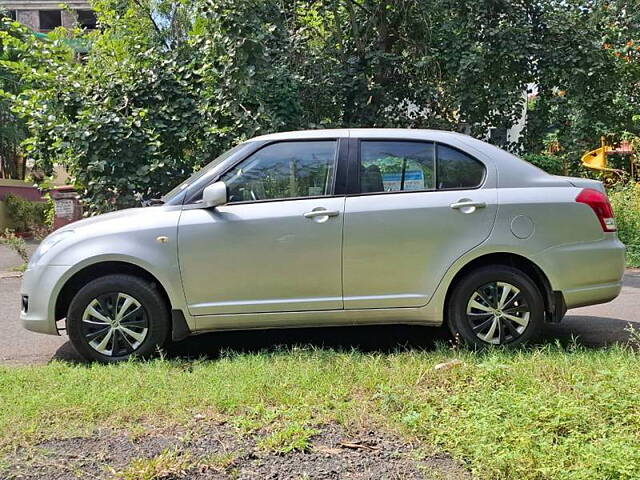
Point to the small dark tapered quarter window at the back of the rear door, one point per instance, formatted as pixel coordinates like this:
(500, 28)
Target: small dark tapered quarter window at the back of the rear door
(457, 170)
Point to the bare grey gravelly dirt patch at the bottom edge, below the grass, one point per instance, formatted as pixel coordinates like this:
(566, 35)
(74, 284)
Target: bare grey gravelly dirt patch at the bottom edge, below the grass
(209, 450)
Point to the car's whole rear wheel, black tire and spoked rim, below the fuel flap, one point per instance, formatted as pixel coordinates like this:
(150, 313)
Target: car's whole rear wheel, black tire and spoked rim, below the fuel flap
(485, 304)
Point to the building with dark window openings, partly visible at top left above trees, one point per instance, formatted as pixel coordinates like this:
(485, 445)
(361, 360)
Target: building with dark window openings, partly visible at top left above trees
(45, 15)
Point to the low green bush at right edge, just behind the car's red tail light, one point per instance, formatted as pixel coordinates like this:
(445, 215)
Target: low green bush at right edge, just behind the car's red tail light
(625, 201)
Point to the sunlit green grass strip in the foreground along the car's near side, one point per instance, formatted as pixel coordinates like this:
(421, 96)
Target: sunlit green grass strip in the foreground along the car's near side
(548, 412)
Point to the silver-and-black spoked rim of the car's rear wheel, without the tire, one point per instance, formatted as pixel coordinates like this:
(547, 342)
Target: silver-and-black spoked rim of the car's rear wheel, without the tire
(498, 313)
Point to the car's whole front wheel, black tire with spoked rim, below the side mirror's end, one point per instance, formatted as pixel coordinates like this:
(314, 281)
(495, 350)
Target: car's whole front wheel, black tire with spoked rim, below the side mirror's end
(124, 308)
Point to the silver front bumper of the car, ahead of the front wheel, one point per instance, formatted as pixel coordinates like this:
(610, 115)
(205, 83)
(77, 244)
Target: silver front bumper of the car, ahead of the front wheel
(41, 287)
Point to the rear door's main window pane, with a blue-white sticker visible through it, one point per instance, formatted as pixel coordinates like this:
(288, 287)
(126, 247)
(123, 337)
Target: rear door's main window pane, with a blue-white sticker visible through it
(396, 166)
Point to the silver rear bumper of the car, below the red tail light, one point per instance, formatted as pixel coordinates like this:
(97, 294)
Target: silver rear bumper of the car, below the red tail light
(585, 273)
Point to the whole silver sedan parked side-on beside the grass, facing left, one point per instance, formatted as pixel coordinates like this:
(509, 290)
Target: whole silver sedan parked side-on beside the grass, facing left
(327, 228)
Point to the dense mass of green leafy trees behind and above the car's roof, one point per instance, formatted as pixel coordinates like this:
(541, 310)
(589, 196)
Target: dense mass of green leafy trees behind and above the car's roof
(168, 84)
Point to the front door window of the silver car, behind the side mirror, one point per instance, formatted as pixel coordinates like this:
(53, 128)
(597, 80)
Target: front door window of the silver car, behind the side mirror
(284, 170)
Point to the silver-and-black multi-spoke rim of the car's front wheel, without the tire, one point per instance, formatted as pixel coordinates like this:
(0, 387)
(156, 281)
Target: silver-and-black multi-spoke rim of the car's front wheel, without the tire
(115, 324)
